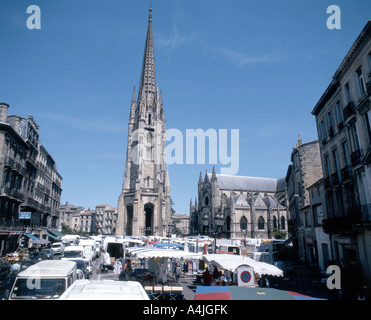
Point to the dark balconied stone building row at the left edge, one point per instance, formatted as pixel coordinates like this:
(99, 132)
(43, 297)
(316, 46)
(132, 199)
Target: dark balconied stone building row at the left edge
(30, 184)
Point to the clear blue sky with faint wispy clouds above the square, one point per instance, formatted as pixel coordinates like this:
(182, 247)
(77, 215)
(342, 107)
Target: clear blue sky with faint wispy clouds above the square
(256, 66)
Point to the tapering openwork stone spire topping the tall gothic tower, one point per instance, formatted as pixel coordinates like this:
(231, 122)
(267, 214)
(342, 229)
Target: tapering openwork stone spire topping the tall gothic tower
(148, 86)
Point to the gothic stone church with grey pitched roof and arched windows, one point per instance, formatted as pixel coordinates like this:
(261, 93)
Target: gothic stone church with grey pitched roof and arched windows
(237, 206)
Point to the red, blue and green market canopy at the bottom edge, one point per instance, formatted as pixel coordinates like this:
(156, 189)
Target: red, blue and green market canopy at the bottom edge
(247, 293)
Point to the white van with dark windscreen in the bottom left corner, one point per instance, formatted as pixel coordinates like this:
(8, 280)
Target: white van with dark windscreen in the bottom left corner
(47, 279)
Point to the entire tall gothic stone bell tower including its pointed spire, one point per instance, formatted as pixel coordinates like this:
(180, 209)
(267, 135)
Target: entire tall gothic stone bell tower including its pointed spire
(144, 204)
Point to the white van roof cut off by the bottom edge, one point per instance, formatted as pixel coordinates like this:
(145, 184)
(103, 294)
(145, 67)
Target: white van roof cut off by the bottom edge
(105, 290)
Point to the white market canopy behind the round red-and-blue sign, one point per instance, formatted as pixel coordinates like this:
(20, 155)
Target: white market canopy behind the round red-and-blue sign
(231, 262)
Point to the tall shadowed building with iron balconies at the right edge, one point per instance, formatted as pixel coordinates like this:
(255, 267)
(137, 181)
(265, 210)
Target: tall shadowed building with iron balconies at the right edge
(343, 118)
